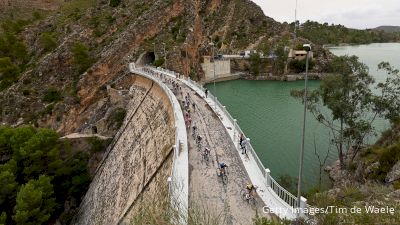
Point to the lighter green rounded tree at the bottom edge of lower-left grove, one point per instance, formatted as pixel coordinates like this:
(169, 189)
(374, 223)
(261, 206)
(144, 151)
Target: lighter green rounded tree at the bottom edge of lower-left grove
(35, 202)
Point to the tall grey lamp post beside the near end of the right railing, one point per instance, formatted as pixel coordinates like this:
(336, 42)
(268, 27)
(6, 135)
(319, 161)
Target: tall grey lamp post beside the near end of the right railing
(306, 47)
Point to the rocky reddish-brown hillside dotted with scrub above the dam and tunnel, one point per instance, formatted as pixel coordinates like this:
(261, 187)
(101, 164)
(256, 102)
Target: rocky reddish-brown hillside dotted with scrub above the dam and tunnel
(114, 36)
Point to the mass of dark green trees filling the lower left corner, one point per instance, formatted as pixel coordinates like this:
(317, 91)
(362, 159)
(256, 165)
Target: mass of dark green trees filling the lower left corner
(39, 177)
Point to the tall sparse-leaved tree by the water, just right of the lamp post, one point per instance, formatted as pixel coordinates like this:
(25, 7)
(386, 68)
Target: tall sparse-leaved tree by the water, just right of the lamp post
(350, 103)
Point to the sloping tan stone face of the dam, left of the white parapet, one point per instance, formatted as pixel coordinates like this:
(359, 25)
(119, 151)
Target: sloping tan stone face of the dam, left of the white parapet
(139, 160)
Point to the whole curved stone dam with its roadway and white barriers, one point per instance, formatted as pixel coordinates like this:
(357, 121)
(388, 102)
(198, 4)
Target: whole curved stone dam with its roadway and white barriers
(153, 149)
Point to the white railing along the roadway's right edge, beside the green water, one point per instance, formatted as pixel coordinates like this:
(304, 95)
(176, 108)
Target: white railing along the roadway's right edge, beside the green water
(284, 196)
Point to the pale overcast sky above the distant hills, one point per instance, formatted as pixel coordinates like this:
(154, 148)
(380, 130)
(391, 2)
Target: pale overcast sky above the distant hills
(359, 14)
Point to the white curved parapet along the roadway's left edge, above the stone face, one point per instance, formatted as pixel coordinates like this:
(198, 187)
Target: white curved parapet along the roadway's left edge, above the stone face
(179, 178)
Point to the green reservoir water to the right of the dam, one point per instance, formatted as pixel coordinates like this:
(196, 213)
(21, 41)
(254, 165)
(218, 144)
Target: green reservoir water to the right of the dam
(273, 119)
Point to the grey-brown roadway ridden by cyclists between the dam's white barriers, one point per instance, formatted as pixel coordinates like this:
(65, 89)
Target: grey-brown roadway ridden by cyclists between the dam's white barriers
(206, 191)
